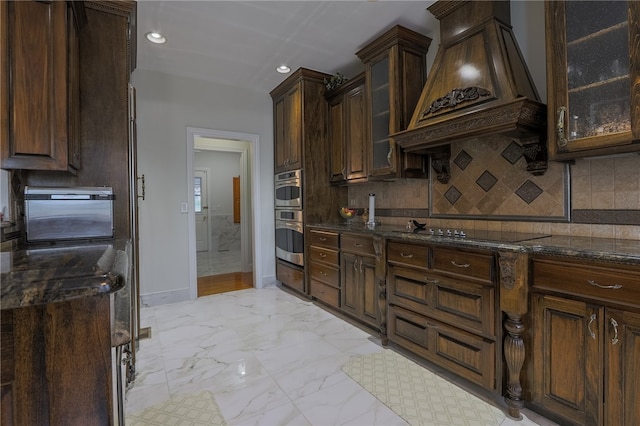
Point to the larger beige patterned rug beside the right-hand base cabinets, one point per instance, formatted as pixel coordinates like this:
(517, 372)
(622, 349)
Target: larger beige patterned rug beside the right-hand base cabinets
(417, 395)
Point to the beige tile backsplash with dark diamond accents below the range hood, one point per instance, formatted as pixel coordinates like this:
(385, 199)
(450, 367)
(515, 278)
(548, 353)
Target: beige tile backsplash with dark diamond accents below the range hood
(604, 195)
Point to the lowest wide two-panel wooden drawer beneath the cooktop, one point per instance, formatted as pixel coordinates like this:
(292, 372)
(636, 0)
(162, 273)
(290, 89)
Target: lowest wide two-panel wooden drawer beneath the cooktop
(465, 354)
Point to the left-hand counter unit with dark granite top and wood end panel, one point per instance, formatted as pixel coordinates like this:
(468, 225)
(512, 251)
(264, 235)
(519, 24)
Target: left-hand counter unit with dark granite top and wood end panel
(64, 307)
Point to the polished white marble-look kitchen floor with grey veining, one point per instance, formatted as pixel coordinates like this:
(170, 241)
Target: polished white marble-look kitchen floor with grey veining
(268, 358)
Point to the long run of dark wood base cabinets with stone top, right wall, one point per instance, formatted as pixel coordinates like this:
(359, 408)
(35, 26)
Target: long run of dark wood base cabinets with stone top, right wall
(475, 301)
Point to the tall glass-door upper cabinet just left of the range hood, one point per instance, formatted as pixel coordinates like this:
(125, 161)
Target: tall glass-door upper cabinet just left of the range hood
(395, 67)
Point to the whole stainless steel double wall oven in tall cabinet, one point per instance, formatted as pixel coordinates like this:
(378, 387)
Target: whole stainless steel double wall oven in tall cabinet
(289, 221)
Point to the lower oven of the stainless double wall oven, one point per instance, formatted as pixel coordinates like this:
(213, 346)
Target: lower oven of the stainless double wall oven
(290, 236)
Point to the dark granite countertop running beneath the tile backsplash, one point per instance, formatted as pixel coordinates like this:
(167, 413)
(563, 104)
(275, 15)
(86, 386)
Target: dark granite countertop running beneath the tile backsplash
(602, 249)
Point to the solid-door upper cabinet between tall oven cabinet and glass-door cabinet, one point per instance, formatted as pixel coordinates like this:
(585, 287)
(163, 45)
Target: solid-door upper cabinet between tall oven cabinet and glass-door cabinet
(348, 132)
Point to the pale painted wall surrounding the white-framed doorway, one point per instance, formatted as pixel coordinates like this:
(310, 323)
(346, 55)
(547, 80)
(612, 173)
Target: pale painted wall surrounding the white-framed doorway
(166, 106)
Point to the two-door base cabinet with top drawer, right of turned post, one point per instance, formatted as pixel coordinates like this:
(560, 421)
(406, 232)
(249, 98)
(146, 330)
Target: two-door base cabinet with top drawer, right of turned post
(586, 336)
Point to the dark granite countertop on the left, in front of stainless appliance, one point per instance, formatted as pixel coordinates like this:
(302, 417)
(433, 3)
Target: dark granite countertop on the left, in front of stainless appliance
(49, 273)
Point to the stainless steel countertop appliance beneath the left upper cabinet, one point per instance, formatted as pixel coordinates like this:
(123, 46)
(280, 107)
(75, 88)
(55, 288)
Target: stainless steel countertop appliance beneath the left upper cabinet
(71, 213)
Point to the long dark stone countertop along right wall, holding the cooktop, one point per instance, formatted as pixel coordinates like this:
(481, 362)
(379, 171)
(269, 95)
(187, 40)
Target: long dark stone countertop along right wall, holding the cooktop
(597, 249)
